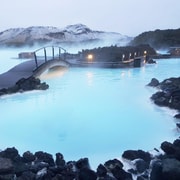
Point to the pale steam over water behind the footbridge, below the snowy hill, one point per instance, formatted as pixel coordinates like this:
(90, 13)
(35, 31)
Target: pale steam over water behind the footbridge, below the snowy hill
(9, 56)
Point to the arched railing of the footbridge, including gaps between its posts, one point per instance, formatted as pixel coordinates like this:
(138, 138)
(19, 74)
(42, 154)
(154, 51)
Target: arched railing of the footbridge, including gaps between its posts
(48, 53)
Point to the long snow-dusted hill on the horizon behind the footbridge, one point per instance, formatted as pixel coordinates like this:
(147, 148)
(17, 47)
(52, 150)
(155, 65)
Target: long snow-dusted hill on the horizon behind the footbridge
(70, 34)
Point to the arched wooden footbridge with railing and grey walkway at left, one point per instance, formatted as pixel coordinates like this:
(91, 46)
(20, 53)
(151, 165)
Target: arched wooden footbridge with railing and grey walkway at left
(40, 61)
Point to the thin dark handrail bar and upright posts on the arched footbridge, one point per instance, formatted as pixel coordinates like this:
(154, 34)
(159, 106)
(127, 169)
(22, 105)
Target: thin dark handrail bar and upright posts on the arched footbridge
(45, 54)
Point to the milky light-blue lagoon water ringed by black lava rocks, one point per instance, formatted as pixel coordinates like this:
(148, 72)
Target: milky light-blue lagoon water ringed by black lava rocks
(89, 112)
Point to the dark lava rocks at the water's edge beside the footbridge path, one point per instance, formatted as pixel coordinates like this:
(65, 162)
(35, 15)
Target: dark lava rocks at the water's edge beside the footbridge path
(25, 84)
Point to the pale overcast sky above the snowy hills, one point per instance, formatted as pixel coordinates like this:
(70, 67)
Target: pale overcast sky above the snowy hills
(128, 17)
